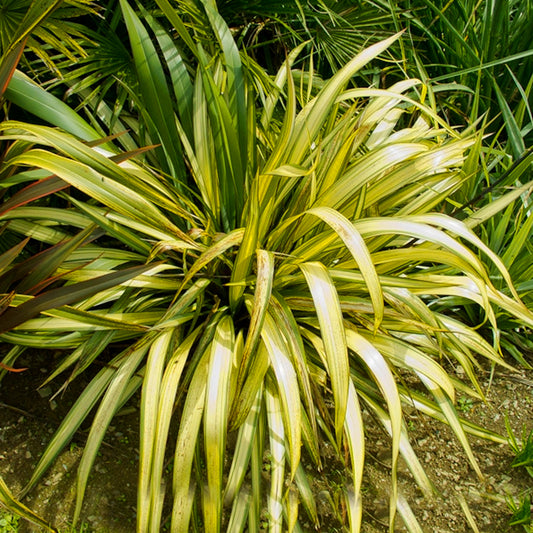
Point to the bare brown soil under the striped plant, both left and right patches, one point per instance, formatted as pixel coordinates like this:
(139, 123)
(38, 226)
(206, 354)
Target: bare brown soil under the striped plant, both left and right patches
(29, 417)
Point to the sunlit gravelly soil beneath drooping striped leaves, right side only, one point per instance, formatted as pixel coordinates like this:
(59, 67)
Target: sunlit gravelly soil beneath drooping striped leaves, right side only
(460, 491)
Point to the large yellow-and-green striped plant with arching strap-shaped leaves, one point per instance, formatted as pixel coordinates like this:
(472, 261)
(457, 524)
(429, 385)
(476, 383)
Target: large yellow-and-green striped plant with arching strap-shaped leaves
(297, 260)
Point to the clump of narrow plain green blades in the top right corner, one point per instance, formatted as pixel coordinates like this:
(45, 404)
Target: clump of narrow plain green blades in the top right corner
(485, 49)
